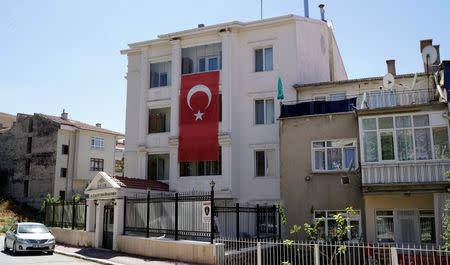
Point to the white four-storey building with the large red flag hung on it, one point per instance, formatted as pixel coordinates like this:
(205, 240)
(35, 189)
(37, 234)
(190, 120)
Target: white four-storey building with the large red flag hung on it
(251, 57)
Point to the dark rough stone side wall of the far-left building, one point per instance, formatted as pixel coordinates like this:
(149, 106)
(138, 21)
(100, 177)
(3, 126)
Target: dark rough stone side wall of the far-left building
(14, 158)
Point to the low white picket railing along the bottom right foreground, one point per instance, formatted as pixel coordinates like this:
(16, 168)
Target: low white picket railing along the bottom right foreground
(267, 252)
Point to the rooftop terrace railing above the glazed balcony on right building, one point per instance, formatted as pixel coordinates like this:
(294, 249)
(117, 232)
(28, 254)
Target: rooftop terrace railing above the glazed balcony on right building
(393, 98)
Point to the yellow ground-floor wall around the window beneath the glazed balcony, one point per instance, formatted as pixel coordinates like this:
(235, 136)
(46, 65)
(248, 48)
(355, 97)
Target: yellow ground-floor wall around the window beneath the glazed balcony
(391, 201)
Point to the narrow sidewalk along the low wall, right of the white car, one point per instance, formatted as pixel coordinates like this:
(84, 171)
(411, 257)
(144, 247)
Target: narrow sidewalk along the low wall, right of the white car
(104, 256)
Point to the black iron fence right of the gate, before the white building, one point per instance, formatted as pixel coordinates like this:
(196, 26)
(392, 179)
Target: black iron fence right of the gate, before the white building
(180, 216)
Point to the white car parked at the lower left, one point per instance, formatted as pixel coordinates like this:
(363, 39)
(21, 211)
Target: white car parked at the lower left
(23, 237)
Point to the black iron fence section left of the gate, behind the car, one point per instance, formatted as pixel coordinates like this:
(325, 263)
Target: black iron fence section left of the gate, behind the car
(66, 214)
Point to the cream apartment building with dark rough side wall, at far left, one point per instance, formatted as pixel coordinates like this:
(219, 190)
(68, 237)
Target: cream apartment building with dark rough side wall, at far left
(53, 154)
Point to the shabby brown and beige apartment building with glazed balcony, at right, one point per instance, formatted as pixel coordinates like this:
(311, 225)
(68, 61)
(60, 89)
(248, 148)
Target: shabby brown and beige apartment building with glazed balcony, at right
(400, 132)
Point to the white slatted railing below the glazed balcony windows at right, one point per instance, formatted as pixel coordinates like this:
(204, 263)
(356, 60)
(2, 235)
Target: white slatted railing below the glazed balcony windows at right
(414, 172)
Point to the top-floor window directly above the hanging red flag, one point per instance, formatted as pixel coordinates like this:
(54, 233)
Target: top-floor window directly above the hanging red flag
(201, 58)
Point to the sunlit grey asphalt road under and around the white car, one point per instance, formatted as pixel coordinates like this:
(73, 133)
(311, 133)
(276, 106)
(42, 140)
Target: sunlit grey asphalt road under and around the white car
(6, 258)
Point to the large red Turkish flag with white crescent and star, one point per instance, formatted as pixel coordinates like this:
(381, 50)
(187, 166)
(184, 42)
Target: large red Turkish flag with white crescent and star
(199, 117)
